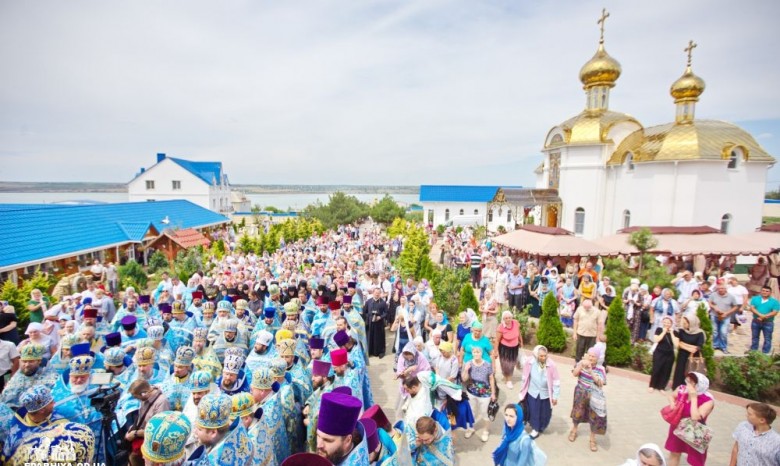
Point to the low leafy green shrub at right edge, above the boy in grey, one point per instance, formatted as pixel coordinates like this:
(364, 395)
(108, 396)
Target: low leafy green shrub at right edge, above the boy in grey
(752, 376)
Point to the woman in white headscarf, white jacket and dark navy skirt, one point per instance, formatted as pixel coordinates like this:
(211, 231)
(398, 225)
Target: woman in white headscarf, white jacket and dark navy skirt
(541, 389)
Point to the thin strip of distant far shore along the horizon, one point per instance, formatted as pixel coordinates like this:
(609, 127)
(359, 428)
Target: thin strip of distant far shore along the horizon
(59, 187)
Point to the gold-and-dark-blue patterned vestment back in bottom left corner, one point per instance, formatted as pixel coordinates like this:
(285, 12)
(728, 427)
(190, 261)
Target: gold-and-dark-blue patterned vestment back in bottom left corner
(59, 442)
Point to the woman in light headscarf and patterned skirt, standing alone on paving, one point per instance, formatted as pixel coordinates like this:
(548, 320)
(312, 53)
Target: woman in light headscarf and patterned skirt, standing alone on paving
(590, 379)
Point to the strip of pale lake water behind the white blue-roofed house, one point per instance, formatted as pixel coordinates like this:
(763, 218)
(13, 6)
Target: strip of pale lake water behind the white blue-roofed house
(295, 201)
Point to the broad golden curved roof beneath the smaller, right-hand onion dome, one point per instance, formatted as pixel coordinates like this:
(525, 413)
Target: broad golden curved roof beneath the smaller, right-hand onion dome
(699, 140)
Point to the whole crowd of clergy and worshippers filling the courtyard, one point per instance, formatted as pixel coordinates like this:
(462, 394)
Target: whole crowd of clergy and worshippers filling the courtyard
(263, 360)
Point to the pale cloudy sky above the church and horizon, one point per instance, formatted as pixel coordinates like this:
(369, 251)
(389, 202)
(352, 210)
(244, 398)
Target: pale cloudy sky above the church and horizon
(349, 91)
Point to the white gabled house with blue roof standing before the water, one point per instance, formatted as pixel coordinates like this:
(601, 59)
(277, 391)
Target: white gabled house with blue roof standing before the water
(202, 183)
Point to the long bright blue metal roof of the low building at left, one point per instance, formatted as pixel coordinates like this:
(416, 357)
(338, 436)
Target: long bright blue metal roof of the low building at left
(32, 233)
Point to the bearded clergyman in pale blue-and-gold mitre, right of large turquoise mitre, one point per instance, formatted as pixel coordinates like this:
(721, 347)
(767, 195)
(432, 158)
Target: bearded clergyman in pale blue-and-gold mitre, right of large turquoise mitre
(223, 442)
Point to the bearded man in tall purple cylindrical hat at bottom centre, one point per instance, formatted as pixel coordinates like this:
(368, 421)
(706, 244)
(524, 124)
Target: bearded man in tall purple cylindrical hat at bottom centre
(336, 427)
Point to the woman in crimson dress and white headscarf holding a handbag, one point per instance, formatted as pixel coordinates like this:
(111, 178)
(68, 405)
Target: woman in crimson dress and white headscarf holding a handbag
(697, 403)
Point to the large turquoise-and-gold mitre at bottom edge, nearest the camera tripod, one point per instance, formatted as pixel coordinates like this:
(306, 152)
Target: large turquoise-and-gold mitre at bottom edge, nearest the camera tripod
(165, 436)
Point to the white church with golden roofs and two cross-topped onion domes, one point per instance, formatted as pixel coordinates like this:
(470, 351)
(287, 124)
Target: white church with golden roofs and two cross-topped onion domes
(611, 172)
